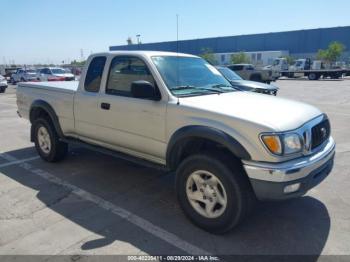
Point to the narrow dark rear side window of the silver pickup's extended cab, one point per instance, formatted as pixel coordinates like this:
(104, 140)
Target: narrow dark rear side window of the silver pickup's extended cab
(94, 74)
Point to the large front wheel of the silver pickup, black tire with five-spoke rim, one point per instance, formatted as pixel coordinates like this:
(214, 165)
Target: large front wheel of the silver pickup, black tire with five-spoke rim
(233, 186)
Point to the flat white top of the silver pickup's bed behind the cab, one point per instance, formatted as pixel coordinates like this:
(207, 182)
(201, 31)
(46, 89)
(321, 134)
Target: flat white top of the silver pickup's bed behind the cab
(59, 86)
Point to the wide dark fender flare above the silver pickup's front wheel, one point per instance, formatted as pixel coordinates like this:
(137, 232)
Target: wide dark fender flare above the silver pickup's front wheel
(212, 134)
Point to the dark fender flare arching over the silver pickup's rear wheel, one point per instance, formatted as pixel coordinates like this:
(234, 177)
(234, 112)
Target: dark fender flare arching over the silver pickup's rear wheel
(43, 105)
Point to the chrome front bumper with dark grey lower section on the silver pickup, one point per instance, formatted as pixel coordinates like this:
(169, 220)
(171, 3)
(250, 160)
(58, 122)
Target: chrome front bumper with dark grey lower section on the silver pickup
(269, 180)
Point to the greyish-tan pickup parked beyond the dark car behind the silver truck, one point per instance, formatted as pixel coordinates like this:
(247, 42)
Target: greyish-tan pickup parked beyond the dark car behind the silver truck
(249, 72)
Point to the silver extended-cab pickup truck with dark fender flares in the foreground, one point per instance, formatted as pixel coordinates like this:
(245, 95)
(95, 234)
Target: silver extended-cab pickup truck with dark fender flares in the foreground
(177, 112)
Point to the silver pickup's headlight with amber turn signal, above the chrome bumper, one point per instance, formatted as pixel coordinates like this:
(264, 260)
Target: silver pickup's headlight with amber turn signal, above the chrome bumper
(283, 144)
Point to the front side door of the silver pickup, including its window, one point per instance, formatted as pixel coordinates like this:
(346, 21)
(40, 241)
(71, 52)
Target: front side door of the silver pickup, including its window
(129, 124)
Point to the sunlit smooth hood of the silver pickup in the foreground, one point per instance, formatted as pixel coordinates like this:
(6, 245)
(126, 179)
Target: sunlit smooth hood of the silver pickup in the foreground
(276, 113)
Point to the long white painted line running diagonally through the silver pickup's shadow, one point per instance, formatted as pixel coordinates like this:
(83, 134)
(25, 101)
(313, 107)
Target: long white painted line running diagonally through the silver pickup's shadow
(138, 221)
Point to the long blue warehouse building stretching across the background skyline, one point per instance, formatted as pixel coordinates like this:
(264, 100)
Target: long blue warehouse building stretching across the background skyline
(299, 41)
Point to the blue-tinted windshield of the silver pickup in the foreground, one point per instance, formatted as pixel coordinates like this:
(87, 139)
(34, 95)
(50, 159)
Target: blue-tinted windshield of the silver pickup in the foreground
(188, 76)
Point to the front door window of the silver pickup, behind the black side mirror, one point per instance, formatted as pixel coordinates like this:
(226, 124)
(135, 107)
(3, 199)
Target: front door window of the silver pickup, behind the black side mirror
(123, 71)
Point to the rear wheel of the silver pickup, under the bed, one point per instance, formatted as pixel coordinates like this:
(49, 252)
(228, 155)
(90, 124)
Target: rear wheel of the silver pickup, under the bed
(51, 149)
